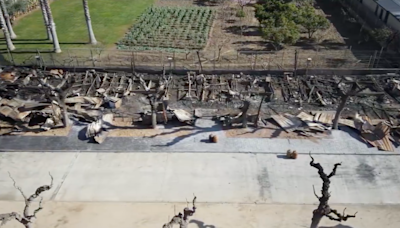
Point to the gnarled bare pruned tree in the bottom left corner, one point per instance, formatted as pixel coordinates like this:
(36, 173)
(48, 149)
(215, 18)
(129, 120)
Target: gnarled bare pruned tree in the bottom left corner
(27, 219)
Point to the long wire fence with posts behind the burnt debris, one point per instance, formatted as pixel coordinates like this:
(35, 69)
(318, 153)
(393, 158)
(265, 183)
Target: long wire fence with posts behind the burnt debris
(257, 60)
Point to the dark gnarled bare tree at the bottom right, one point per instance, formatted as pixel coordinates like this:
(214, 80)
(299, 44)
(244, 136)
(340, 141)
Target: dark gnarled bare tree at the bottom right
(323, 208)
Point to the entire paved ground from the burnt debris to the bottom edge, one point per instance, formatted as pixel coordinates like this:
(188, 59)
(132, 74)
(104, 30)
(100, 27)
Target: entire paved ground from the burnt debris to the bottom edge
(239, 182)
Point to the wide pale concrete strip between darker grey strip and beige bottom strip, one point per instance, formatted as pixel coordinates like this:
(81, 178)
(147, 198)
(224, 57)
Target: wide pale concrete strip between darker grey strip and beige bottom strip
(213, 177)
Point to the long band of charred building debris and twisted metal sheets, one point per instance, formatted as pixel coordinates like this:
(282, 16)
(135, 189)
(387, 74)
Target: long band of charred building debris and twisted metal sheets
(305, 104)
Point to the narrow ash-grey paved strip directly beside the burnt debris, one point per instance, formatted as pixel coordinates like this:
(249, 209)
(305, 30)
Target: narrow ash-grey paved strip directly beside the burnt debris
(340, 142)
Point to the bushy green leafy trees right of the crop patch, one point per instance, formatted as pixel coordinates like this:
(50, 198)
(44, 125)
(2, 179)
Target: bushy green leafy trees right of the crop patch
(282, 21)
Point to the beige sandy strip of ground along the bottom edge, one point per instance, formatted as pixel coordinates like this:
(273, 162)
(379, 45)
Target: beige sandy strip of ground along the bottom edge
(134, 215)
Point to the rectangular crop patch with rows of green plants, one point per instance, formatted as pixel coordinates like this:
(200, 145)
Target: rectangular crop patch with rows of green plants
(170, 27)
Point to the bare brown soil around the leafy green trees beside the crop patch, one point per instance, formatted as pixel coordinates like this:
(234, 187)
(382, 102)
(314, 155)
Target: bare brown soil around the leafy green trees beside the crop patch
(239, 41)
